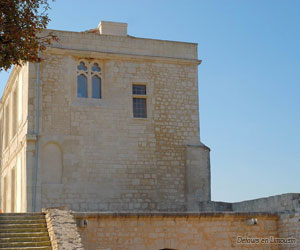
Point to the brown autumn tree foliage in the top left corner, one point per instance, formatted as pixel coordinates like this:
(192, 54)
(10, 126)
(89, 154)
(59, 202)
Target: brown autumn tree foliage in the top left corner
(21, 24)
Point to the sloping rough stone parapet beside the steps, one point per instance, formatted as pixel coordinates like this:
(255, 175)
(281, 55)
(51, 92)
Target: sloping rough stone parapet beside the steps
(62, 230)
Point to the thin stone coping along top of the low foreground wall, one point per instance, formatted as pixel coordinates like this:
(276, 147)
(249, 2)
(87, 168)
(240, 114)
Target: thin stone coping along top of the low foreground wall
(79, 215)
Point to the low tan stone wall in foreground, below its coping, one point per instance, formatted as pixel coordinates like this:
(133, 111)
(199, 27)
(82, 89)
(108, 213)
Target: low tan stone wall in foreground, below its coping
(176, 231)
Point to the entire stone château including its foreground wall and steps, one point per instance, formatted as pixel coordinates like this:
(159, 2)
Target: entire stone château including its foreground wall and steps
(107, 125)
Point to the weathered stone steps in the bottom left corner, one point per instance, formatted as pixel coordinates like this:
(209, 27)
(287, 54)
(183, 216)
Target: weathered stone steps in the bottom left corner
(24, 231)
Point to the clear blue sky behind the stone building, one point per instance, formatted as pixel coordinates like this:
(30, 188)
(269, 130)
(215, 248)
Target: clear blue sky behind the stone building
(249, 81)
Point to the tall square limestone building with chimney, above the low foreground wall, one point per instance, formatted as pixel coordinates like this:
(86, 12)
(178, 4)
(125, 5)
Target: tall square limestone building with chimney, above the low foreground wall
(106, 122)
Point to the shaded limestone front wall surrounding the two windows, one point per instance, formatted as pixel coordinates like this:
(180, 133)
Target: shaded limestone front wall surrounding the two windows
(106, 160)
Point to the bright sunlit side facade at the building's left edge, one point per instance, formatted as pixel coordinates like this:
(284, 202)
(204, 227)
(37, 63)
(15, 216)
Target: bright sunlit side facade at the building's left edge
(13, 123)
